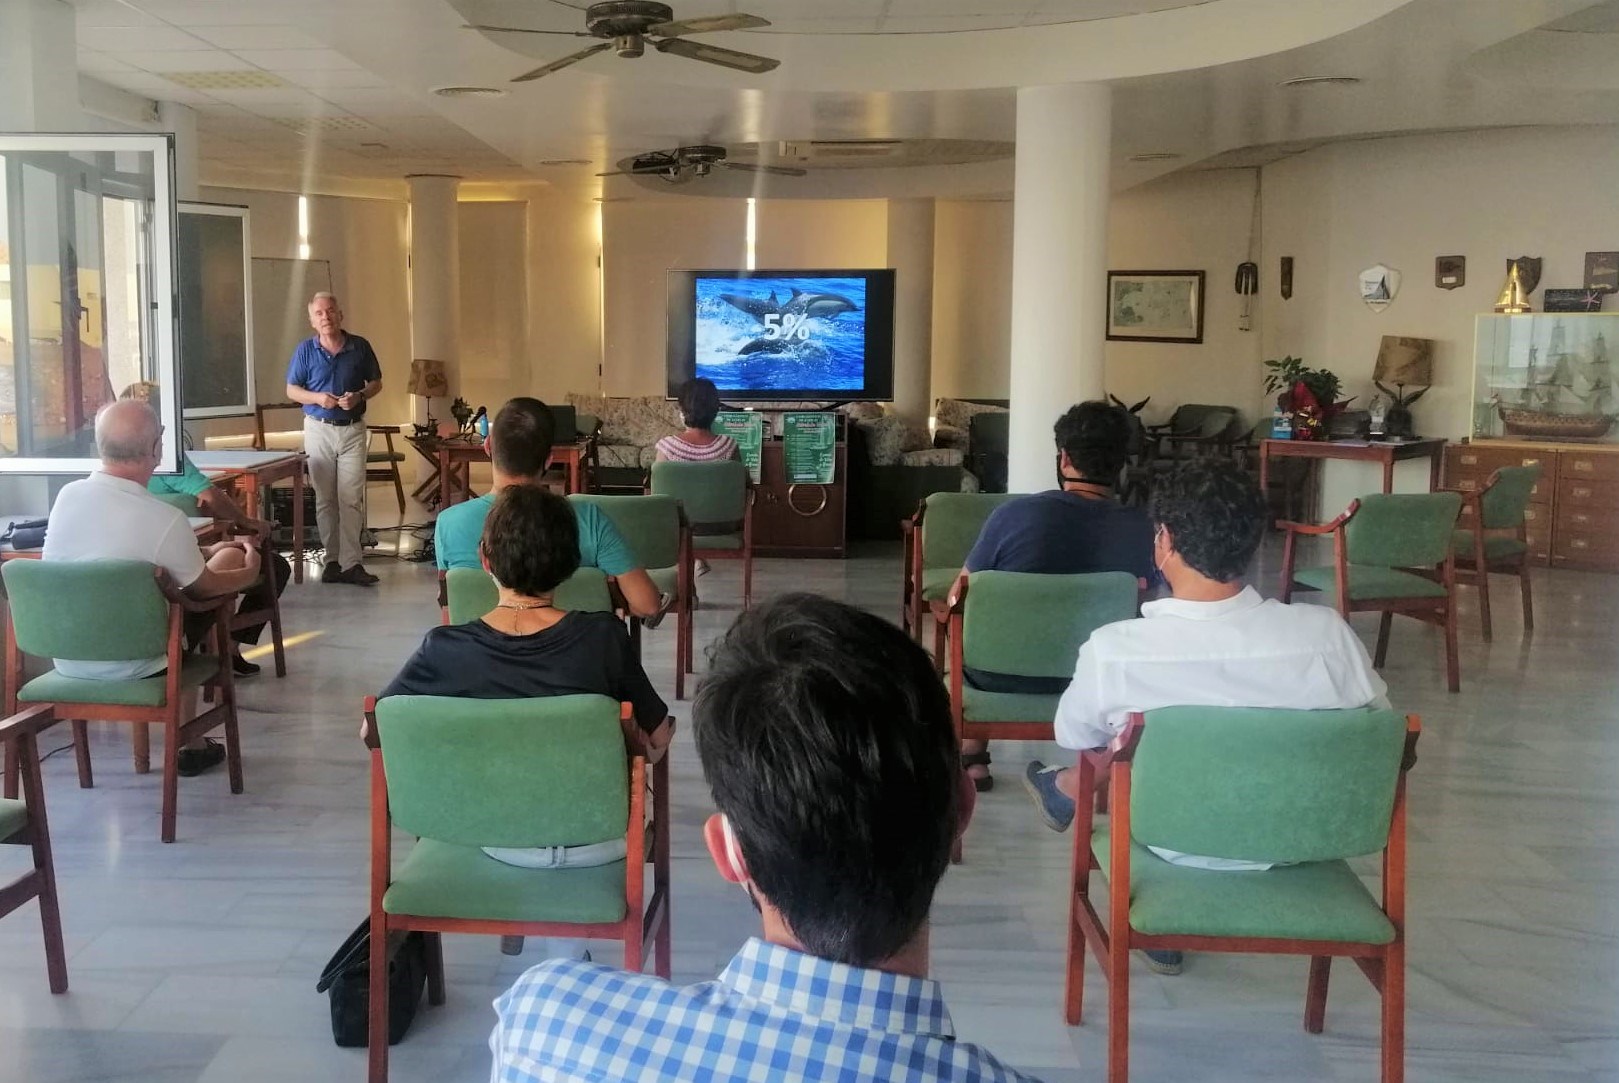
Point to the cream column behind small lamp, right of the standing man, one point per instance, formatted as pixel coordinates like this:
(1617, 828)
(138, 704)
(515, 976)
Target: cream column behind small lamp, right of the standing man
(435, 278)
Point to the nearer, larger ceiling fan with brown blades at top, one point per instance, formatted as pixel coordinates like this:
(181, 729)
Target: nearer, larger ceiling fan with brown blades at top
(629, 25)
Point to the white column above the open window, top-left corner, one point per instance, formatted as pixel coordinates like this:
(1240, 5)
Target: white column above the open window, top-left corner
(40, 67)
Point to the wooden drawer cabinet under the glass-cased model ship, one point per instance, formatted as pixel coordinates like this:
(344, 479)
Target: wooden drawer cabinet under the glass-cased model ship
(1573, 519)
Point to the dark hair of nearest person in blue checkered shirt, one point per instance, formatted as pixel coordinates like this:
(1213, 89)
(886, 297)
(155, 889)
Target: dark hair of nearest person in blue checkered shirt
(826, 737)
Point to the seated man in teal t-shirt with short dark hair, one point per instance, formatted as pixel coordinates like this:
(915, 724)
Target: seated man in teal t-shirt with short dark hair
(519, 446)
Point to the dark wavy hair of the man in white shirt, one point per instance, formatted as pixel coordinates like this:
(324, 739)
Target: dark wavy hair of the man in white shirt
(1215, 516)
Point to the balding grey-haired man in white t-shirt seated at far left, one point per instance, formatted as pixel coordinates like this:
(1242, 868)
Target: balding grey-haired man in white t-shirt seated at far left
(113, 517)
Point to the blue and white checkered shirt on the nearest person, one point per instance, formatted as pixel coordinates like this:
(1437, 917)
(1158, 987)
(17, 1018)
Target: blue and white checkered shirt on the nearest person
(773, 1014)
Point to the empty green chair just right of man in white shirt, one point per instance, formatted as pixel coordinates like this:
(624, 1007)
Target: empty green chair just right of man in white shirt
(1392, 554)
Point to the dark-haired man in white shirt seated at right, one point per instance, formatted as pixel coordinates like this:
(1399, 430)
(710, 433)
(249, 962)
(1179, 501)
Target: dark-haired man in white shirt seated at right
(1213, 643)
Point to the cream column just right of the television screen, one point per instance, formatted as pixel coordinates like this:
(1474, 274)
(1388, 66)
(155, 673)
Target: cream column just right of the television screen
(911, 257)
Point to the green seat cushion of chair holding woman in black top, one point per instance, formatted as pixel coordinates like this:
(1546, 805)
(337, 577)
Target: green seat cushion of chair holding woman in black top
(446, 881)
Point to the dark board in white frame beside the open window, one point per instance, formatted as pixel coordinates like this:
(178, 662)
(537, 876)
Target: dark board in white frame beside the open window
(215, 281)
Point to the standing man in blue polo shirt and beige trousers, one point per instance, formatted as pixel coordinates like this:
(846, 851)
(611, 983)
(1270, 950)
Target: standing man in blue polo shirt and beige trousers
(333, 375)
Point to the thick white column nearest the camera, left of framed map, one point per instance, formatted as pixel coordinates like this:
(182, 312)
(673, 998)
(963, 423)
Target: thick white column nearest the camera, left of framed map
(1060, 266)
